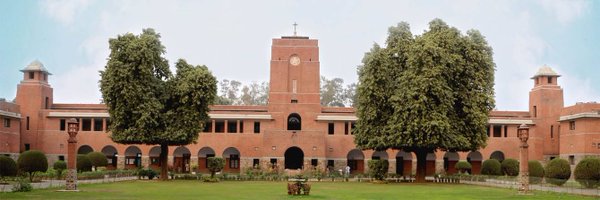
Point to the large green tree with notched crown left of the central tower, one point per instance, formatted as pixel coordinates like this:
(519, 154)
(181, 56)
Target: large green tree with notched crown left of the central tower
(146, 102)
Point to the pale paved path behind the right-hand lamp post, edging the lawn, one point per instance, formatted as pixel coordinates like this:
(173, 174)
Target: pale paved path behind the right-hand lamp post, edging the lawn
(515, 185)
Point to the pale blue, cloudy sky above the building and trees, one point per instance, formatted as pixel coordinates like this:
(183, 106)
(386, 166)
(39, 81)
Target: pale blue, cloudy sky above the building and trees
(233, 38)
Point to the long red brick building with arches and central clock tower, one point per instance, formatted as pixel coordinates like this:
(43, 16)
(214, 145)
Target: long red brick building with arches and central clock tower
(293, 130)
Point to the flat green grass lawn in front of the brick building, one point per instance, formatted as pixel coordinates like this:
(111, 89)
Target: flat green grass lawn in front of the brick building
(277, 190)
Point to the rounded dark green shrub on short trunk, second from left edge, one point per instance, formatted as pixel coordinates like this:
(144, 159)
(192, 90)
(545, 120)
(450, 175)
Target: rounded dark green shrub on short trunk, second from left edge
(31, 162)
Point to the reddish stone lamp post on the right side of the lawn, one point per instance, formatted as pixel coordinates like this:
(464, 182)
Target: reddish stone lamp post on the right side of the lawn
(523, 133)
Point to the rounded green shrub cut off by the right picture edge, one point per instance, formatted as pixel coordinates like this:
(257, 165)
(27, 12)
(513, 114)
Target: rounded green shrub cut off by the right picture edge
(587, 172)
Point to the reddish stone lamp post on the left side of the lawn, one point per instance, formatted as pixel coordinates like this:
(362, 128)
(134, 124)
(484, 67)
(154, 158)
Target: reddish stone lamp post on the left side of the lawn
(71, 179)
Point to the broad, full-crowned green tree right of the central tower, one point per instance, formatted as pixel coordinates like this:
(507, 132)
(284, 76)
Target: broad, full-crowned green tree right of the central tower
(426, 93)
